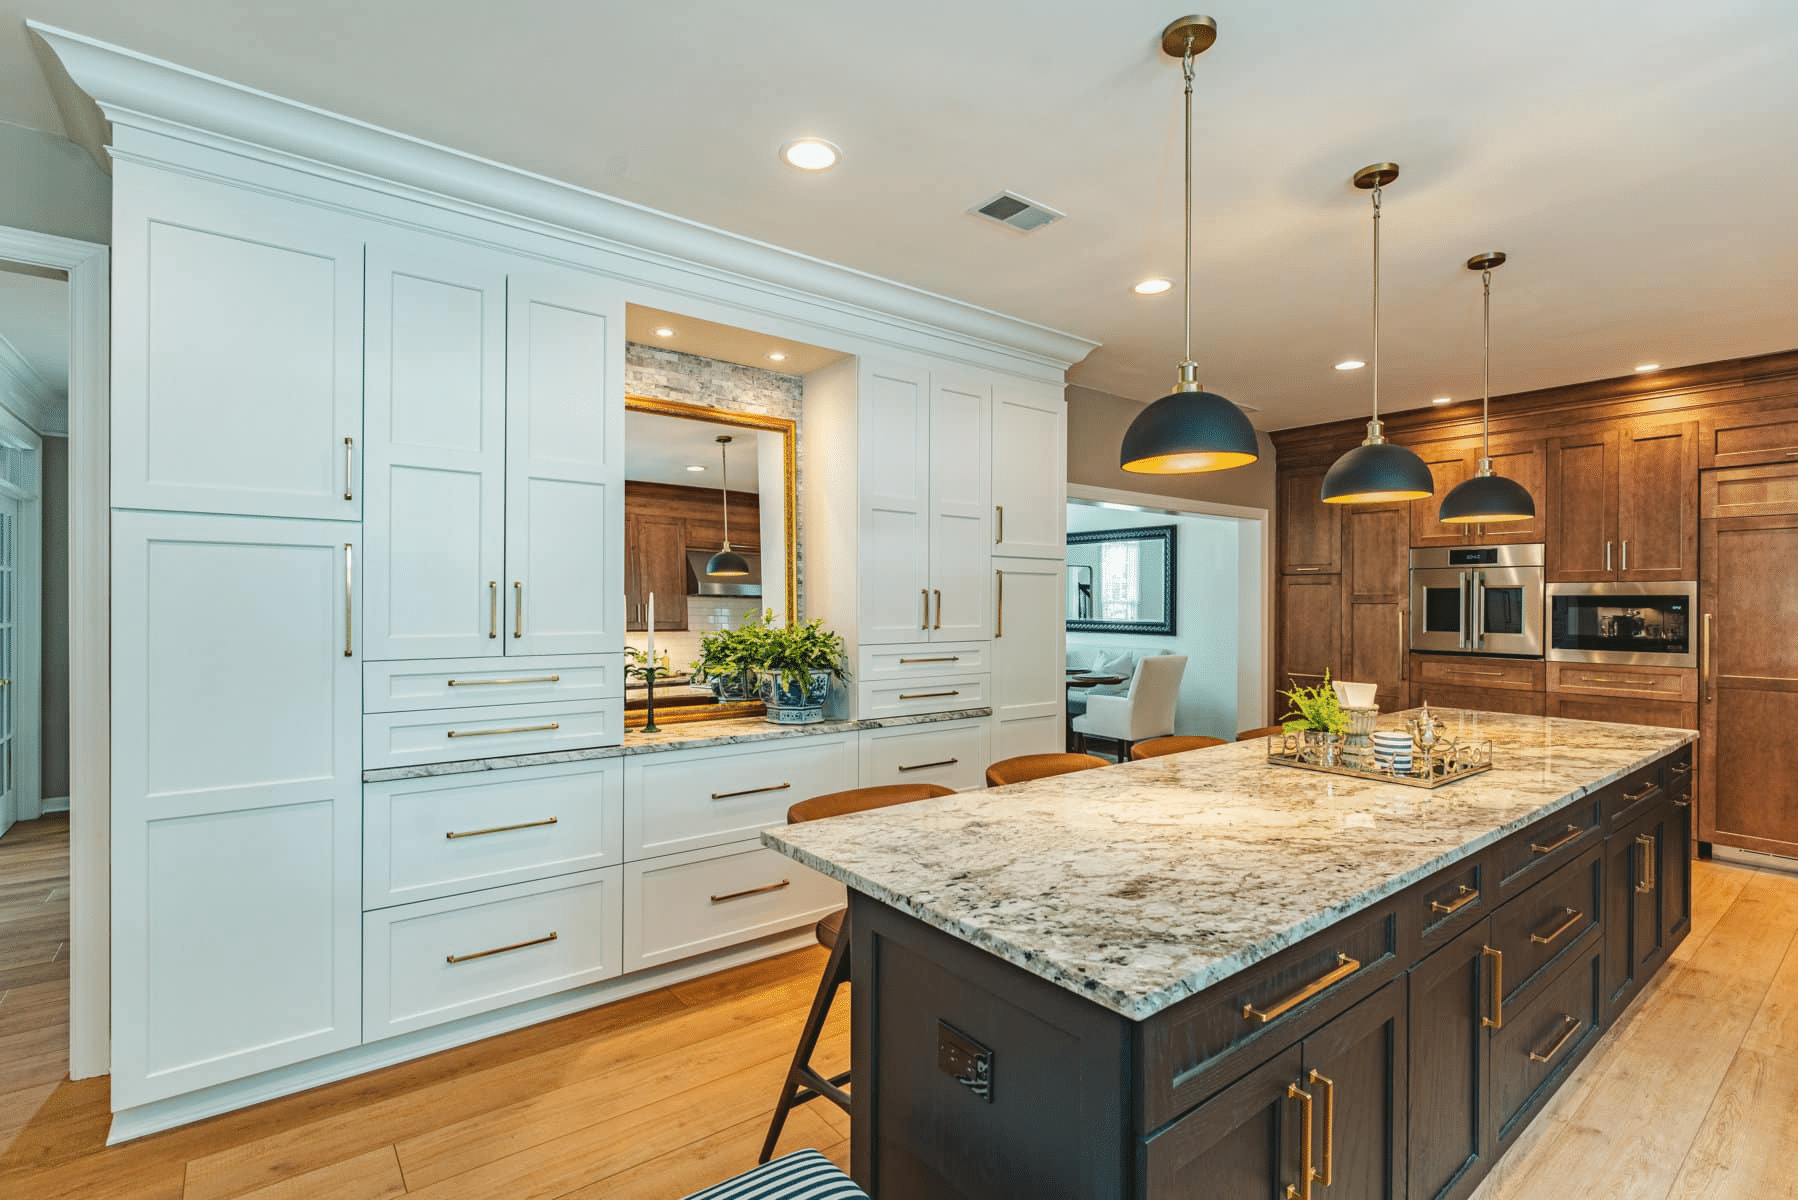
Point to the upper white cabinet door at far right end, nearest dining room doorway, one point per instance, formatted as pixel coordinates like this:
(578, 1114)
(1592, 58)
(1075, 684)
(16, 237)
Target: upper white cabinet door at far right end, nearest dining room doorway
(1029, 469)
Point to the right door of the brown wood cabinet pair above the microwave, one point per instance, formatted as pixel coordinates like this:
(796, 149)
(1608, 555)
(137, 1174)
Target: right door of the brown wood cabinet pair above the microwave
(1657, 503)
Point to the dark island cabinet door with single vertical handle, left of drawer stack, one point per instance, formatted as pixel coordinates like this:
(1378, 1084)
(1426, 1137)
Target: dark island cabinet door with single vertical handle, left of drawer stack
(1450, 994)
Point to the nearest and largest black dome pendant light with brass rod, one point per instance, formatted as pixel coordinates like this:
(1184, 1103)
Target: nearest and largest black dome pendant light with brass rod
(1189, 431)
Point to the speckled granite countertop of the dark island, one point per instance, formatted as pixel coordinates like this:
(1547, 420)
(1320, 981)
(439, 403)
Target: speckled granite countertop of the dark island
(1143, 884)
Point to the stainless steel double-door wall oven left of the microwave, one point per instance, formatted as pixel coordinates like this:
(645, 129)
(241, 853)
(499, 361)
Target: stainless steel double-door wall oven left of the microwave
(1479, 600)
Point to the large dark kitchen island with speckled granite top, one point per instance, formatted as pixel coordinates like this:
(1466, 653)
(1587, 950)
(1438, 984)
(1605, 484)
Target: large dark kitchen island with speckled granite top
(1206, 976)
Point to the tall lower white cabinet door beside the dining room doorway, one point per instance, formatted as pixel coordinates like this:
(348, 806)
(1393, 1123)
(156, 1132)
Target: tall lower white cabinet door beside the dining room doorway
(1029, 649)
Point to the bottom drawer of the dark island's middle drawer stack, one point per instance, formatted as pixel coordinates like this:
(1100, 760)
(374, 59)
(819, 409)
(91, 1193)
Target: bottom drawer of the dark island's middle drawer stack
(1542, 1041)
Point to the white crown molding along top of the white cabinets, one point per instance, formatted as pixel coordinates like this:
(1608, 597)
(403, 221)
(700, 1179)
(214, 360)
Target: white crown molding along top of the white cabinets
(150, 94)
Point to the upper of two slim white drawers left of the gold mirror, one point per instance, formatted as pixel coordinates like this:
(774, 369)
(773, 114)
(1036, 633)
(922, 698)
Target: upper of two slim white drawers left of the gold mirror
(485, 683)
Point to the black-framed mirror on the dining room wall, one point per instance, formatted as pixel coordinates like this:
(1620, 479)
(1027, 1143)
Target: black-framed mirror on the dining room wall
(1121, 580)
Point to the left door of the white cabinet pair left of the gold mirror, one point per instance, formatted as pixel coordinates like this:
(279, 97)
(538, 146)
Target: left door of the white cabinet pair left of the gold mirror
(436, 451)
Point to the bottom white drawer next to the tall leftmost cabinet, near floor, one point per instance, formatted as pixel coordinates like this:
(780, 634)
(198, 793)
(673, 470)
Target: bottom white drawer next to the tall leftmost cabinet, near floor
(443, 960)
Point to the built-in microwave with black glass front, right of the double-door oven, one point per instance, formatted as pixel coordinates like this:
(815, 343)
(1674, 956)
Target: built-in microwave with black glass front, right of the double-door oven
(1623, 623)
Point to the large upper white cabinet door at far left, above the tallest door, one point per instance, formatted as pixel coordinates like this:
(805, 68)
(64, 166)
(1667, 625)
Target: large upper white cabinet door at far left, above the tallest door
(236, 352)
